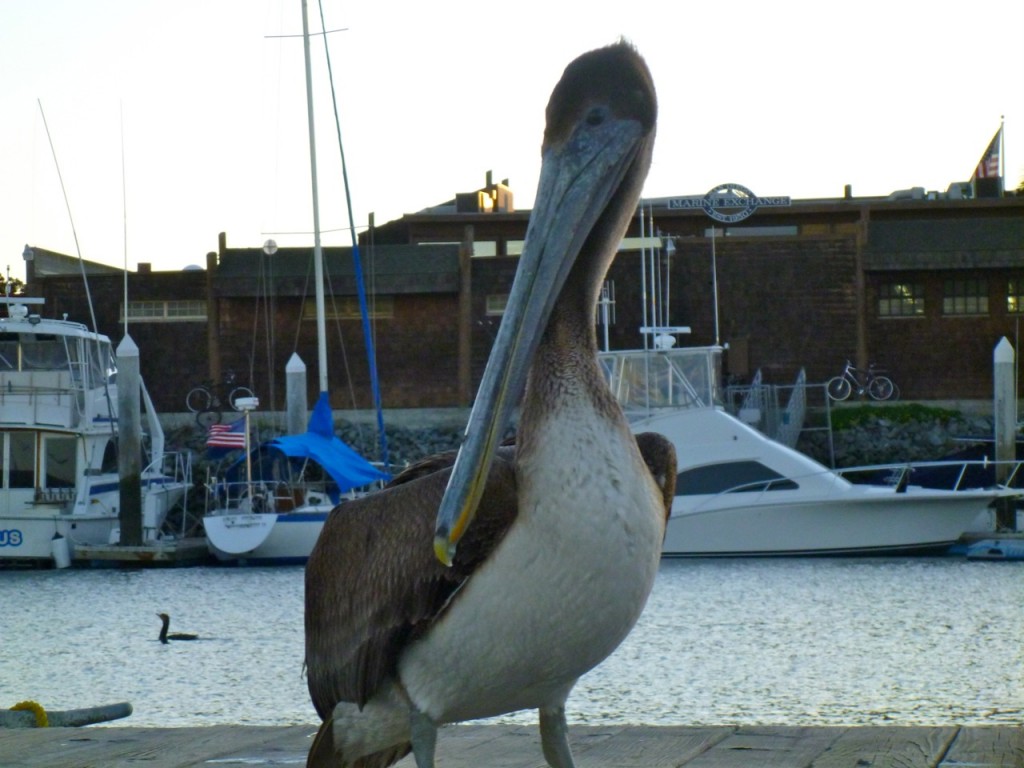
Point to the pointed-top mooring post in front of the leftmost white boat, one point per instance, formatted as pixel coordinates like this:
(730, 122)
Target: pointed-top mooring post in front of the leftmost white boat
(130, 444)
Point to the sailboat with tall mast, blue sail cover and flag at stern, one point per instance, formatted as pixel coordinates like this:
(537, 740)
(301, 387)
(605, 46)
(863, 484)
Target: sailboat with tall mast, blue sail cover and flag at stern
(274, 514)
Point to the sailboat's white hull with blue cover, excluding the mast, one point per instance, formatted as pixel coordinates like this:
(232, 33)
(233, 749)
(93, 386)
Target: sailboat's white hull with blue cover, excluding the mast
(270, 509)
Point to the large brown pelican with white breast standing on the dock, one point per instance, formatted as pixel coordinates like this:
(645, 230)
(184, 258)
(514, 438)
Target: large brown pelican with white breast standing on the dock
(544, 552)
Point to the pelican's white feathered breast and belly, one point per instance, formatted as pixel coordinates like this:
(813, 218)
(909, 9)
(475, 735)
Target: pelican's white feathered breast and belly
(561, 592)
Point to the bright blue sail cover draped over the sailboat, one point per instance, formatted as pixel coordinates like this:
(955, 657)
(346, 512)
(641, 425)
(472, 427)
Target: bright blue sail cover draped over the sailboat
(347, 467)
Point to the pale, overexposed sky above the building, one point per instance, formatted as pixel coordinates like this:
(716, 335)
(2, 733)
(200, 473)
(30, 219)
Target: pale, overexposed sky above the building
(174, 122)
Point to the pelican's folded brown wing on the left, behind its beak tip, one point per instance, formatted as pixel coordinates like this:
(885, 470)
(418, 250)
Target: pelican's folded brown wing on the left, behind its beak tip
(373, 583)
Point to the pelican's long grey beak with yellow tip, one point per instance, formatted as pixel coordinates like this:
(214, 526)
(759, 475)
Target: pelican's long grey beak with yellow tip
(581, 174)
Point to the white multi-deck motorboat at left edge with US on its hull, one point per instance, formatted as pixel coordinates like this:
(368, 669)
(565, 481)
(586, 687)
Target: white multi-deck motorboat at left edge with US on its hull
(59, 442)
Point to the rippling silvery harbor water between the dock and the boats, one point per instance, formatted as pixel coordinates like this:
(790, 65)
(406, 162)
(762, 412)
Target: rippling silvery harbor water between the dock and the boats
(776, 642)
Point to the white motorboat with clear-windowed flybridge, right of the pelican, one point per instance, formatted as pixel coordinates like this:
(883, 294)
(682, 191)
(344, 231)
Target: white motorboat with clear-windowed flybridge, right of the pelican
(742, 494)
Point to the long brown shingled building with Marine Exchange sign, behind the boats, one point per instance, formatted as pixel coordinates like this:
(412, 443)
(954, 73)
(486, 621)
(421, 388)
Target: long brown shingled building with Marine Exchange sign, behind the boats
(921, 284)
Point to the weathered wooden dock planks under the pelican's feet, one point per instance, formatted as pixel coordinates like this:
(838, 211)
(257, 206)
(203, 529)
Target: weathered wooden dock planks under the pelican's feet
(519, 747)
